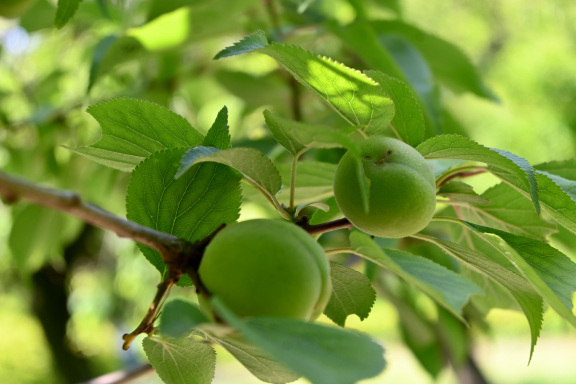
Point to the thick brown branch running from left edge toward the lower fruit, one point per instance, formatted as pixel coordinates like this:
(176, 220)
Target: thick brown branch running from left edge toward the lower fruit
(14, 189)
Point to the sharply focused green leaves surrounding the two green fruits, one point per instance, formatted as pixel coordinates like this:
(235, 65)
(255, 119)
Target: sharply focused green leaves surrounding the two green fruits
(188, 185)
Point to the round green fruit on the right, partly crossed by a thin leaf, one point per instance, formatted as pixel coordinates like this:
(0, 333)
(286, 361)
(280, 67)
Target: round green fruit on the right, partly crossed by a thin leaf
(402, 192)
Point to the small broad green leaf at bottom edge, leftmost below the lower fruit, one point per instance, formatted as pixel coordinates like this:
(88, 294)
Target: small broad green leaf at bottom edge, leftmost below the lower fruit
(181, 361)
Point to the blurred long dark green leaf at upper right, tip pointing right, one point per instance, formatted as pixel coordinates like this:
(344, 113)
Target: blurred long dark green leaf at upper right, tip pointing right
(447, 61)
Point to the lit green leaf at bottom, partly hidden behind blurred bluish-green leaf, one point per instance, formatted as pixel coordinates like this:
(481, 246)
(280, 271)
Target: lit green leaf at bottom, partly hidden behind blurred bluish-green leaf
(256, 361)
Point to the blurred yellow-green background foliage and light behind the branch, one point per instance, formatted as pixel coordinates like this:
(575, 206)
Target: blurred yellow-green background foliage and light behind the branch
(72, 282)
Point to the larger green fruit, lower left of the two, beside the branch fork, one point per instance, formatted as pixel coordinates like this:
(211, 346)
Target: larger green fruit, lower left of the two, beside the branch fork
(265, 267)
